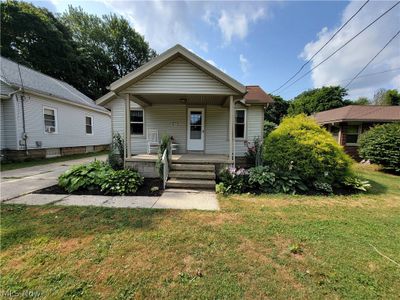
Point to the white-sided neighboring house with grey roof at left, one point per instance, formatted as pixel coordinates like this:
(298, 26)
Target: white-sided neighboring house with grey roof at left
(45, 117)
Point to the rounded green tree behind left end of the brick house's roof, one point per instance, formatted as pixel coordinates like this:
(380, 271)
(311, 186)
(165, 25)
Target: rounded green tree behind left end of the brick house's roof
(319, 99)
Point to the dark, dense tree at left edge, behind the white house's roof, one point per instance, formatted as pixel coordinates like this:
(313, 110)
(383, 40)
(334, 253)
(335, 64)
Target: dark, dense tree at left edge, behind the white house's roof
(34, 37)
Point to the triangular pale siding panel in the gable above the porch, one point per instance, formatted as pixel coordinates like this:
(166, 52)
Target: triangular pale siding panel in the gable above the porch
(179, 77)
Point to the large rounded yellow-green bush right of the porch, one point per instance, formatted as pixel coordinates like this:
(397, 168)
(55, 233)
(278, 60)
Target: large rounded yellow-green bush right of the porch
(299, 146)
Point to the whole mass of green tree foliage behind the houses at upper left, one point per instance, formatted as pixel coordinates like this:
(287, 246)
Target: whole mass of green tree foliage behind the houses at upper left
(83, 50)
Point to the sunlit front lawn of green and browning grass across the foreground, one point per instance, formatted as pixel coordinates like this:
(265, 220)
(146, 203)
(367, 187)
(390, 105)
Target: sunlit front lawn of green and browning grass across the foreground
(276, 247)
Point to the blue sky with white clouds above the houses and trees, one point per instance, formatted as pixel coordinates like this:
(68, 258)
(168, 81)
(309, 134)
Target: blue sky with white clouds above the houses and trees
(266, 42)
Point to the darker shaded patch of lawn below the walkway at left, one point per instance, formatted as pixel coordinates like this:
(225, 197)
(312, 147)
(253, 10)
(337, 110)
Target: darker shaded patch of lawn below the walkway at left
(22, 224)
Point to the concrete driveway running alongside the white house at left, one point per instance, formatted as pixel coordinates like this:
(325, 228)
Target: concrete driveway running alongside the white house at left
(19, 182)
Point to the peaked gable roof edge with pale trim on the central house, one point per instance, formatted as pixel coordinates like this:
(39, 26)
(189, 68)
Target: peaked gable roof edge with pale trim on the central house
(163, 59)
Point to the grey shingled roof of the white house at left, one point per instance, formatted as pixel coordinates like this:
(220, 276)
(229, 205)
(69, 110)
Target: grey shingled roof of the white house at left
(43, 84)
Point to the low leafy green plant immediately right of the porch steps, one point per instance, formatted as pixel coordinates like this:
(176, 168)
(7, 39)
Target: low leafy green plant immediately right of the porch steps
(234, 181)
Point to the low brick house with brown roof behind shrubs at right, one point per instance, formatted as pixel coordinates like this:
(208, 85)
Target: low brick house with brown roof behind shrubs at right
(347, 123)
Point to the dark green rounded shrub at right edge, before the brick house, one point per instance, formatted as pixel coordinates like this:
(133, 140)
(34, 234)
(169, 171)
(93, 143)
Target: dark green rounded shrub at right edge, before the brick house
(381, 146)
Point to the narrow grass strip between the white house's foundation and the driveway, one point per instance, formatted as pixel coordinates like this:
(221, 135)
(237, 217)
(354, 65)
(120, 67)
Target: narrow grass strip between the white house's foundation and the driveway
(36, 162)
